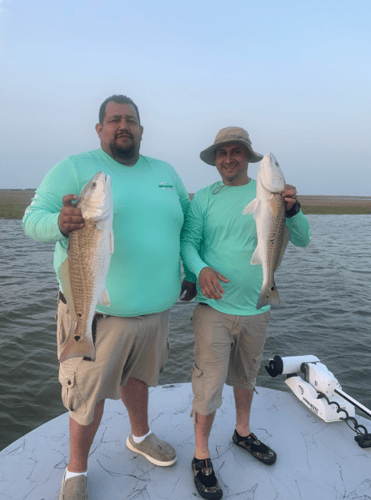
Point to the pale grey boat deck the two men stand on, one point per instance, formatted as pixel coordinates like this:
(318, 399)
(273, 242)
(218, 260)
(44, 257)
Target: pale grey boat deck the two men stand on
(315, 460)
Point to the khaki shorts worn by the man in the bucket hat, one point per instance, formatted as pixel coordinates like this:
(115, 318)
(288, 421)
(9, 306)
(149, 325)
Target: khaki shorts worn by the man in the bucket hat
(228, 349)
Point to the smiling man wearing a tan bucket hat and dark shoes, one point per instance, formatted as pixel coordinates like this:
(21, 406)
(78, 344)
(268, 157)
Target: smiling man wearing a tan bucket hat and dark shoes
(217, 244)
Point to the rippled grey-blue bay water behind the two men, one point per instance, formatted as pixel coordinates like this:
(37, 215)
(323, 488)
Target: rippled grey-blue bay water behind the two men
(325, 292)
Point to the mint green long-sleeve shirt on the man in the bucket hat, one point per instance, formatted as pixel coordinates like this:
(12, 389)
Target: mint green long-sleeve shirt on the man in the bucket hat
(216, 234)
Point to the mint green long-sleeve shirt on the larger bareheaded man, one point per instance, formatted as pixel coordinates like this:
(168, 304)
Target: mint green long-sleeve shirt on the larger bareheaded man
(149, 204)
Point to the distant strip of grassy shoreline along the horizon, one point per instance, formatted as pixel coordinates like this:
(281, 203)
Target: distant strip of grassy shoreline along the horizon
(13, 203)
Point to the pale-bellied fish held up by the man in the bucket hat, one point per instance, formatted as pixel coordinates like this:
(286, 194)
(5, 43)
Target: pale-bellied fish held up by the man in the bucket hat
(269, 212)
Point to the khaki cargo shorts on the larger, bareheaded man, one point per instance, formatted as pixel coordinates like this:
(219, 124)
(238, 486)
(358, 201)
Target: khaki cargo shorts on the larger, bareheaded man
(134, 347)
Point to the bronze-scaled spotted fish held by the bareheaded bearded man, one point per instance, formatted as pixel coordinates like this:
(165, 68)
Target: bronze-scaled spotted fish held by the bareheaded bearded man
(83, 274)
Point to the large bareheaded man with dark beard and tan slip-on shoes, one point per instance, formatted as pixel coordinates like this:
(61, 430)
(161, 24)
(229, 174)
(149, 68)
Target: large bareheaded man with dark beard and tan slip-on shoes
(149, 203)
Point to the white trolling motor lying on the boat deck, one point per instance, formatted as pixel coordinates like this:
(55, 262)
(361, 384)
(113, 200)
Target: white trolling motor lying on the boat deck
(320, 391)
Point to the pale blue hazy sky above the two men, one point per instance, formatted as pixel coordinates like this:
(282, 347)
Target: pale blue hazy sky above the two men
(295, 74)
